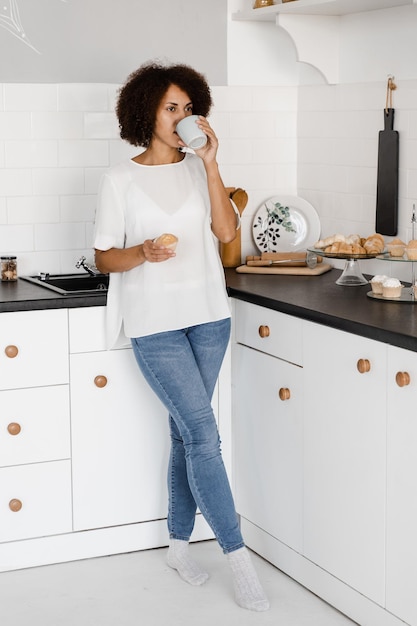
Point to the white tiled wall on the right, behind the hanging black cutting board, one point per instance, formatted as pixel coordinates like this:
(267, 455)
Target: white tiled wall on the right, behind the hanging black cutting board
(338, 130)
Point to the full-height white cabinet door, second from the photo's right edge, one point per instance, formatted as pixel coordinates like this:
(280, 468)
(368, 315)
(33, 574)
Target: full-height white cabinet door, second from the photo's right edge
(344, 457)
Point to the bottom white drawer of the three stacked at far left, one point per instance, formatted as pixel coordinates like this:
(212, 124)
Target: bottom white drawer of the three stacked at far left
(43, 493)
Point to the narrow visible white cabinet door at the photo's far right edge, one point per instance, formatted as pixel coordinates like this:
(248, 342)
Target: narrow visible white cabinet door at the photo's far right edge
(402, 484)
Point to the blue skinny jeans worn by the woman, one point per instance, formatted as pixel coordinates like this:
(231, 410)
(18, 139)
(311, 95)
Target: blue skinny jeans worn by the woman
(182, 367)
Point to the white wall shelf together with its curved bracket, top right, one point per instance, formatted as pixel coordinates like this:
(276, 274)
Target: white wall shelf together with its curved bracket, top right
(310, 21)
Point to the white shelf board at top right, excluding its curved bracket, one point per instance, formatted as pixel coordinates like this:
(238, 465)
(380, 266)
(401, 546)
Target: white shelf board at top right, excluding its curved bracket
(317, 7)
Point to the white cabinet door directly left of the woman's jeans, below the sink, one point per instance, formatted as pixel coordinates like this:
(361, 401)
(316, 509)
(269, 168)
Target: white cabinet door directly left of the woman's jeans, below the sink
(120, 442)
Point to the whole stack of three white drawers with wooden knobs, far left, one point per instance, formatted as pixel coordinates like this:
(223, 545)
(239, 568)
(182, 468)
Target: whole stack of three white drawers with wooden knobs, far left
(35, 470)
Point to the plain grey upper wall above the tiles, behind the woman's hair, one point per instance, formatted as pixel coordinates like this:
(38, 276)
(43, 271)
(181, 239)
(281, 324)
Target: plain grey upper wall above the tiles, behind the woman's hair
(97, 41)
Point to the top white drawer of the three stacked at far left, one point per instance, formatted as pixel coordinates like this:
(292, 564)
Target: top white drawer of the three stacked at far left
(33, 348)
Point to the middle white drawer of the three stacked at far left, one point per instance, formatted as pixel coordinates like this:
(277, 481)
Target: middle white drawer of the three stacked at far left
(34, 425)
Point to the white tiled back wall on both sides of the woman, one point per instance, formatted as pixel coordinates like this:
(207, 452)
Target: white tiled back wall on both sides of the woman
(56, 141)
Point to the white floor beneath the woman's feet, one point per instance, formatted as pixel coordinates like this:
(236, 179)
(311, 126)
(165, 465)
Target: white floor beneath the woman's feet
(139, 589)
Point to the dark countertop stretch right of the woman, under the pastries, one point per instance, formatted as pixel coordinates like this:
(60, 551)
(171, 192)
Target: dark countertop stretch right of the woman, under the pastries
(319, 299)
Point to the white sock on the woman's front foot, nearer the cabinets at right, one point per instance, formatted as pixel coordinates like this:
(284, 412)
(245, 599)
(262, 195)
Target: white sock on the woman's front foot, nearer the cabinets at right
(248, 590)
